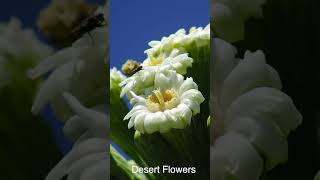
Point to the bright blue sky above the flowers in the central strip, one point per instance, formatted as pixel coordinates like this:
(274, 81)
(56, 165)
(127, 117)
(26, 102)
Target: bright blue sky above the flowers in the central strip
(136, 22)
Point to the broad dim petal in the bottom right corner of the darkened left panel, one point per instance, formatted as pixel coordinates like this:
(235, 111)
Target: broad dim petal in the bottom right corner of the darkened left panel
(89, 158)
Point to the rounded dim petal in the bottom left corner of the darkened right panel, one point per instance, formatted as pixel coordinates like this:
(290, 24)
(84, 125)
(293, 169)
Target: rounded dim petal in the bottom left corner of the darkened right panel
(233, 157)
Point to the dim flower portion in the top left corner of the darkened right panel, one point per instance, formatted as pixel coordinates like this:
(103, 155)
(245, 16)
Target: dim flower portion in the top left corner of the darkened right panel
(229, 17)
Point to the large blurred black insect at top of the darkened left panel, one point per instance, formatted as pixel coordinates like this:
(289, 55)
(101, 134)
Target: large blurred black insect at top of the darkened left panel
(90, 24)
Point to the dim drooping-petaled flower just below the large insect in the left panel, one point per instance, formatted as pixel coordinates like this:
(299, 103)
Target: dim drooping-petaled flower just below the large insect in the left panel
(73, 69)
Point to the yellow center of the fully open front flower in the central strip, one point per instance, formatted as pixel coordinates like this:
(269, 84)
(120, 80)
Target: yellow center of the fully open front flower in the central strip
(162, 100)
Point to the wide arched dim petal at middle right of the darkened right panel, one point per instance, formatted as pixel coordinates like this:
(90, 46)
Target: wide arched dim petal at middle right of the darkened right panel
(266, 103)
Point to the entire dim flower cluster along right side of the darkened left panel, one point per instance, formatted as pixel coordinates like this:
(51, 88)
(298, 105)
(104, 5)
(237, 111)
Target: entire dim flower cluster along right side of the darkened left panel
(69, 89)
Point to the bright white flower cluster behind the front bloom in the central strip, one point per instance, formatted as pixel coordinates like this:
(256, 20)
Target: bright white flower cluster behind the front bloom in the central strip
(171, 53)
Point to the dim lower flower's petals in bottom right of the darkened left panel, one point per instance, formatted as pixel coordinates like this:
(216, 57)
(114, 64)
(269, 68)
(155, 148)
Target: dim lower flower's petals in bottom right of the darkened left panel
(89, 158)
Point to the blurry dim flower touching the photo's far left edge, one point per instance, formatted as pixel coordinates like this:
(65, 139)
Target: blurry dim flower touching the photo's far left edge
(19, 49)
